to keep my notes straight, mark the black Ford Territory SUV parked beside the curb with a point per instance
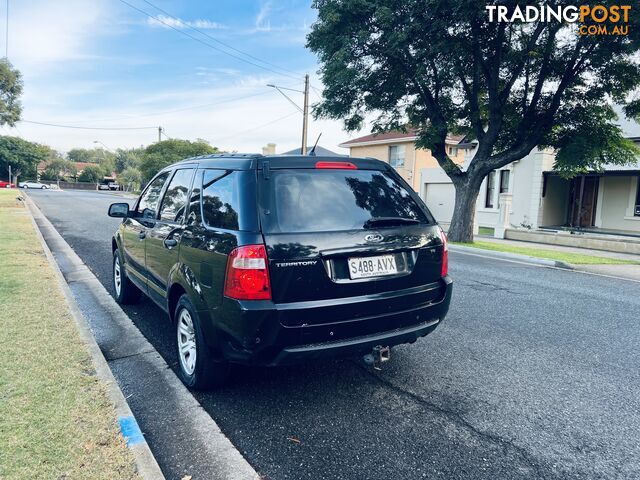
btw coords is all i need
(270, 260)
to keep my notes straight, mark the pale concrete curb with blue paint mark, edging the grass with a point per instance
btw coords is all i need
(146, 464)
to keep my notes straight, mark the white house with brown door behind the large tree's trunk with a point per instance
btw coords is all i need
(534, 196)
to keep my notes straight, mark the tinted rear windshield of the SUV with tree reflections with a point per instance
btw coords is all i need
(332, 200)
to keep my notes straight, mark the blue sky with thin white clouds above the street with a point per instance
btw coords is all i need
(103, 63)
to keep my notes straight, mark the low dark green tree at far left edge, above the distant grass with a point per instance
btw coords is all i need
(23, 156)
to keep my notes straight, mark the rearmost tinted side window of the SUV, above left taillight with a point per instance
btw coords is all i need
(228, 199)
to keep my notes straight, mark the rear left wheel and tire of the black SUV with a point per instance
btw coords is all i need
(204, 372)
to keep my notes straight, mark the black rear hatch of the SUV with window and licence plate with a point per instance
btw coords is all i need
(346, 236)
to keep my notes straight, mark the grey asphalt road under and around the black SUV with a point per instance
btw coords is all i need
(534, 374)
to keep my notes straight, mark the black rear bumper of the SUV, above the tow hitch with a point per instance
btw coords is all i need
(253, 333)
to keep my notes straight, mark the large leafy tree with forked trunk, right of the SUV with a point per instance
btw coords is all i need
(441, 66)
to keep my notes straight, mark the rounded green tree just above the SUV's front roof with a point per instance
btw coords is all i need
(159, 155)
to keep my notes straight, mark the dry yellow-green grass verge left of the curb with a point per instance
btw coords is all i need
(57, 421)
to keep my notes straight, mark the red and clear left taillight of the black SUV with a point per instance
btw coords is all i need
(247, 274)
